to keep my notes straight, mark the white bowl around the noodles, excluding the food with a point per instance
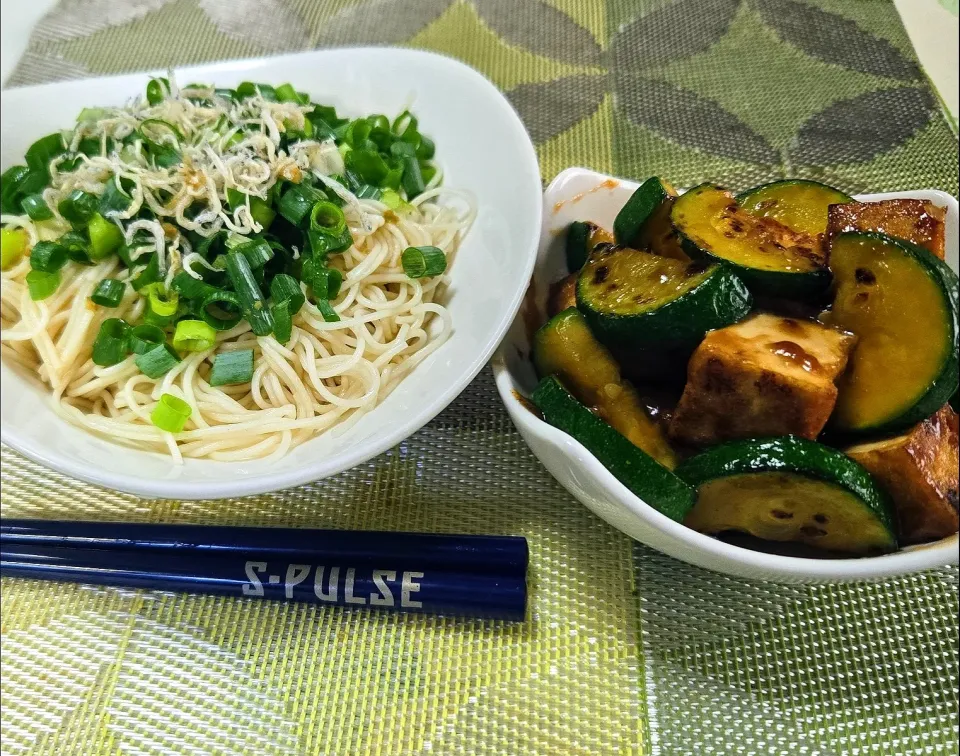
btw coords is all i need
(484, 149)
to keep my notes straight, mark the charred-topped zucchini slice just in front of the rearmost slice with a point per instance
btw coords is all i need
(771, 258)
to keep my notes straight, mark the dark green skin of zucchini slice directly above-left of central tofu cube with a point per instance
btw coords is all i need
(720, 300)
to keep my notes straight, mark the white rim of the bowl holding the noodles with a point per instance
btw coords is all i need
(227, 487)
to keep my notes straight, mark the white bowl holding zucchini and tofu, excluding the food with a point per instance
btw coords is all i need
(580, 194)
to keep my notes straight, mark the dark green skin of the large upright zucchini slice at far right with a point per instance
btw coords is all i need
(945, 385)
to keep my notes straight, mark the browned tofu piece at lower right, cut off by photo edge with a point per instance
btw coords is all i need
(921, 472)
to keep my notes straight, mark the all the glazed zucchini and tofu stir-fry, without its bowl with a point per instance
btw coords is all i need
(778, 364)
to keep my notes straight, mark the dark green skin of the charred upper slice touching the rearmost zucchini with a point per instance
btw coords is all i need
(804, 285)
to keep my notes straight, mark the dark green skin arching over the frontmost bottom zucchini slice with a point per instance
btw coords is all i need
(791, 454)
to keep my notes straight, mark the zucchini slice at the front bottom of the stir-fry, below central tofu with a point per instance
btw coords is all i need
(790, 489)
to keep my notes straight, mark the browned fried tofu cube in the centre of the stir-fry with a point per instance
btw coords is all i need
(765, 376)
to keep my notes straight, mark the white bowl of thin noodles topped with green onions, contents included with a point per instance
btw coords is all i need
(236, 278)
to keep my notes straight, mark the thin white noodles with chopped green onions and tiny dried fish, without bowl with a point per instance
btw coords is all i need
(278, 269)
